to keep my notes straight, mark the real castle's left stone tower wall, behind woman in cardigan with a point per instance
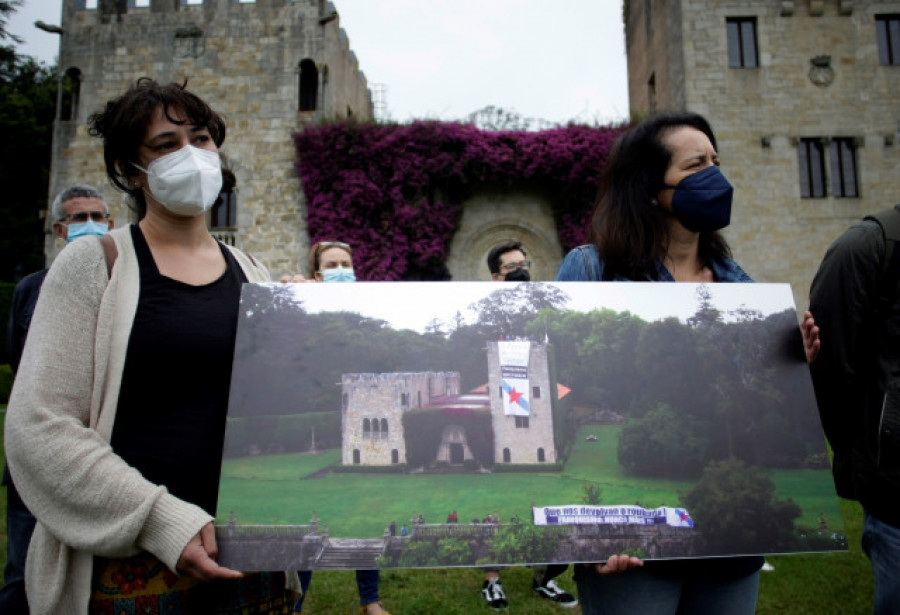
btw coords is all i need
(243, 59)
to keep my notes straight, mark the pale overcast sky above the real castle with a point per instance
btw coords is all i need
(443, 59)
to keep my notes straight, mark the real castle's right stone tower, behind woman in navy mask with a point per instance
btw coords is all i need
(804, 97)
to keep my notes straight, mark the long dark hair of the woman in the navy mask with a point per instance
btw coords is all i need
(630, 230)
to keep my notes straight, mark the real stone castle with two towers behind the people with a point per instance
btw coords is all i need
(802, 94)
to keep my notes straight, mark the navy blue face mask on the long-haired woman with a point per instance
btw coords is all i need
(702, 201)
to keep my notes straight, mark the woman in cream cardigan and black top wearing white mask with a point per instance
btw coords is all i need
(116, 424)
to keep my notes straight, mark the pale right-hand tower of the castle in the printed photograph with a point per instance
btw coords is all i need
(523, 443)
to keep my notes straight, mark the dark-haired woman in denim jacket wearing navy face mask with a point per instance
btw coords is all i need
(661, 203)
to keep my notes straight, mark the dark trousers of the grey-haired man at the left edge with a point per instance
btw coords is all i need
(19, 526)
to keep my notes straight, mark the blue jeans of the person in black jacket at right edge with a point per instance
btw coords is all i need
(881, 542)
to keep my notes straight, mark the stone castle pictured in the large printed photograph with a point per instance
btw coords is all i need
(373, 406)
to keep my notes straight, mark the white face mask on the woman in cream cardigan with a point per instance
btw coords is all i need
(186, 182)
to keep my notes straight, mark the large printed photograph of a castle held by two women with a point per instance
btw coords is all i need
(426, 424)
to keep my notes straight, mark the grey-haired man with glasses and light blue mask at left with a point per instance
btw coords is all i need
(78, 211)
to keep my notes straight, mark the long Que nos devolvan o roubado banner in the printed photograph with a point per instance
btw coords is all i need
(580, 514)
